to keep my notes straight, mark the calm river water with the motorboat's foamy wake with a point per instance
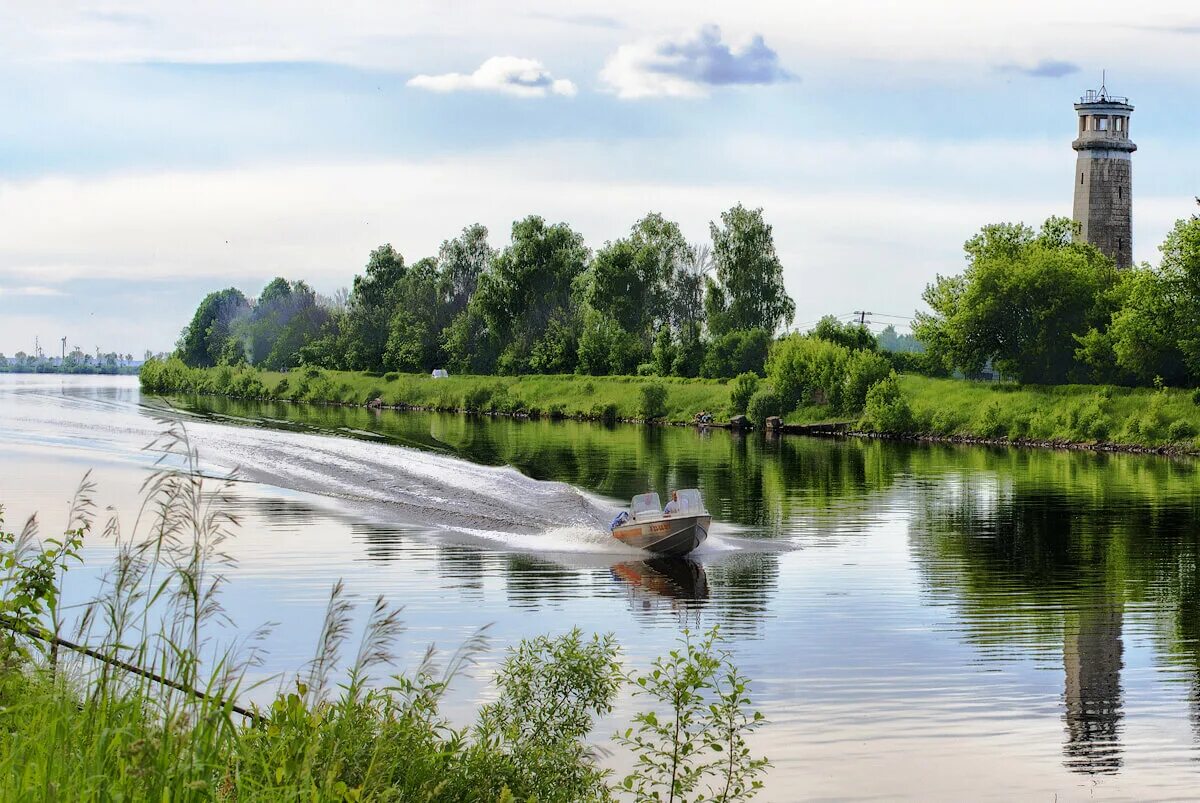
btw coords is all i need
(919, 621)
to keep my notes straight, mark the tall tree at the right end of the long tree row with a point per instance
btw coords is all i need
(749, 290)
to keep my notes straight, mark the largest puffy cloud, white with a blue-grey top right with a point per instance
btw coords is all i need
(689, 65)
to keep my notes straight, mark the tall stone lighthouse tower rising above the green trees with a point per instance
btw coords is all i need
(1105, 175)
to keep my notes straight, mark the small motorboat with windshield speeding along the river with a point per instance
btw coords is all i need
(673, 531)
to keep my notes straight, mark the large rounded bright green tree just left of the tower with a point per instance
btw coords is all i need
(1023, 303)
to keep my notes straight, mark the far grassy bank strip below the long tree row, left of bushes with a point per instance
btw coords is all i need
(566, 395)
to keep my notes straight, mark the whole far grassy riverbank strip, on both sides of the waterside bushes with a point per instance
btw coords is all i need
(952, 411)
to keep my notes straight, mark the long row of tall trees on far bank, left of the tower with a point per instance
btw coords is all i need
(649, 303)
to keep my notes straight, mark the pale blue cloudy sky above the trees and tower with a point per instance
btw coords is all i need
(152, 152)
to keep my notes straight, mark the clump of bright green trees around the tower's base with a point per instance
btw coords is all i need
(1045, 309)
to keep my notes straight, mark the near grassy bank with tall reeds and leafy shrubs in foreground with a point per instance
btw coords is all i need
(351, 726)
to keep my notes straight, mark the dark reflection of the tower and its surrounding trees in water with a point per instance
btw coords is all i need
(1047, 559)
